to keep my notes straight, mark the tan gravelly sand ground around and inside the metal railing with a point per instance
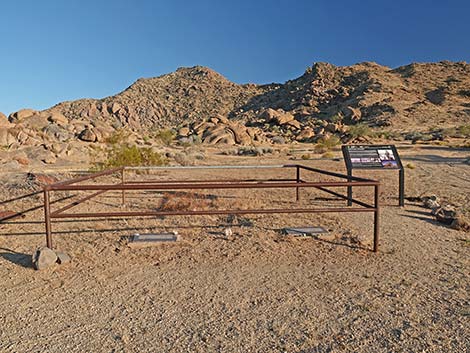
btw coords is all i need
(256, 290)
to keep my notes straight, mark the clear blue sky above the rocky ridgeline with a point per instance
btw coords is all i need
(56, 50)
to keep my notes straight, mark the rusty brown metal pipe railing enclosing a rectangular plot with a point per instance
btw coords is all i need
(296, 183)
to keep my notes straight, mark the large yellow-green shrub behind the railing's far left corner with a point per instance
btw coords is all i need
(125, 155)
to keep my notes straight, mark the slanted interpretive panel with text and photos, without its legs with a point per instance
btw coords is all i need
(371, 157)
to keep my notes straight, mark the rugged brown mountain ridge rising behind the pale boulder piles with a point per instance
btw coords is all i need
(418, 94)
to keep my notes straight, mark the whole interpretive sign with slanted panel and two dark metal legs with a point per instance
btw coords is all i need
(375, 157)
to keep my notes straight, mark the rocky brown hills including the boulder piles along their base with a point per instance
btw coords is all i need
(200, 104)
